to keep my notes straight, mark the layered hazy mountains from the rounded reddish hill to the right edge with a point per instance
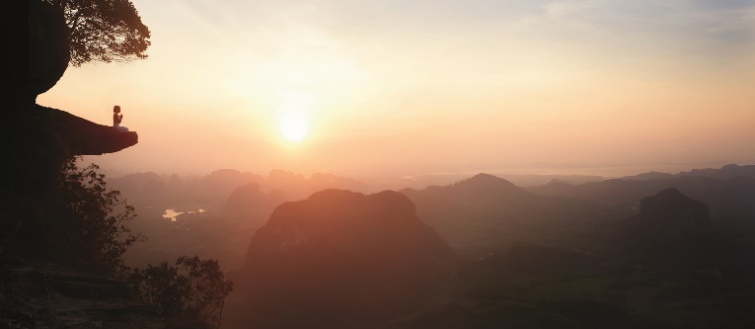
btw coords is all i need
(666, 252)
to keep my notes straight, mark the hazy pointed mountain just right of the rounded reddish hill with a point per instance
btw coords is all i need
(485, 213)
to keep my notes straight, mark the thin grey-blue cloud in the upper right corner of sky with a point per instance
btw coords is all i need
(713, 31)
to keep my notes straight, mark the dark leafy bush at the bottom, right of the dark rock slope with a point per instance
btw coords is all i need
(194, 289)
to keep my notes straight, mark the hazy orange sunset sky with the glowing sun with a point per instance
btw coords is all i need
(429, 86)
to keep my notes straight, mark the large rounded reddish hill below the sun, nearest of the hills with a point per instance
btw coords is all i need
(341, 259)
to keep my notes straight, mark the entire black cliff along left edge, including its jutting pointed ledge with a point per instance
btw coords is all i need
(36, 142)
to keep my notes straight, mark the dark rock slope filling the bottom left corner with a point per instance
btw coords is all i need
(40, 294)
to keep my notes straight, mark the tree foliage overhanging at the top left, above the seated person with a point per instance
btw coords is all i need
(104, 30)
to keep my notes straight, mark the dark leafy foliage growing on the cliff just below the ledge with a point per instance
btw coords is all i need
(86, 228)
